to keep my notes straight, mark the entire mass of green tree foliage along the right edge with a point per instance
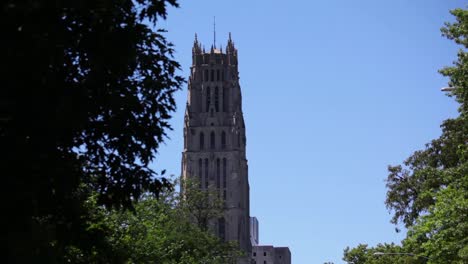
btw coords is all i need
(429, 192)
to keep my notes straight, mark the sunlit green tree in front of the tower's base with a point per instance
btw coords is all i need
(159, 231)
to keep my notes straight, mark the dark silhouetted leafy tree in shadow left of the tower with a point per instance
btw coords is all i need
(87, 92)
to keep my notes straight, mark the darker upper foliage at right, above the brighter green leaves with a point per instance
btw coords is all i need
(412, 188)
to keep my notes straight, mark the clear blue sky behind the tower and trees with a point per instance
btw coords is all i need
(333, 92)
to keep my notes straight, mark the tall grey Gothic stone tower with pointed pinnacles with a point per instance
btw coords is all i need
(214, 138)
